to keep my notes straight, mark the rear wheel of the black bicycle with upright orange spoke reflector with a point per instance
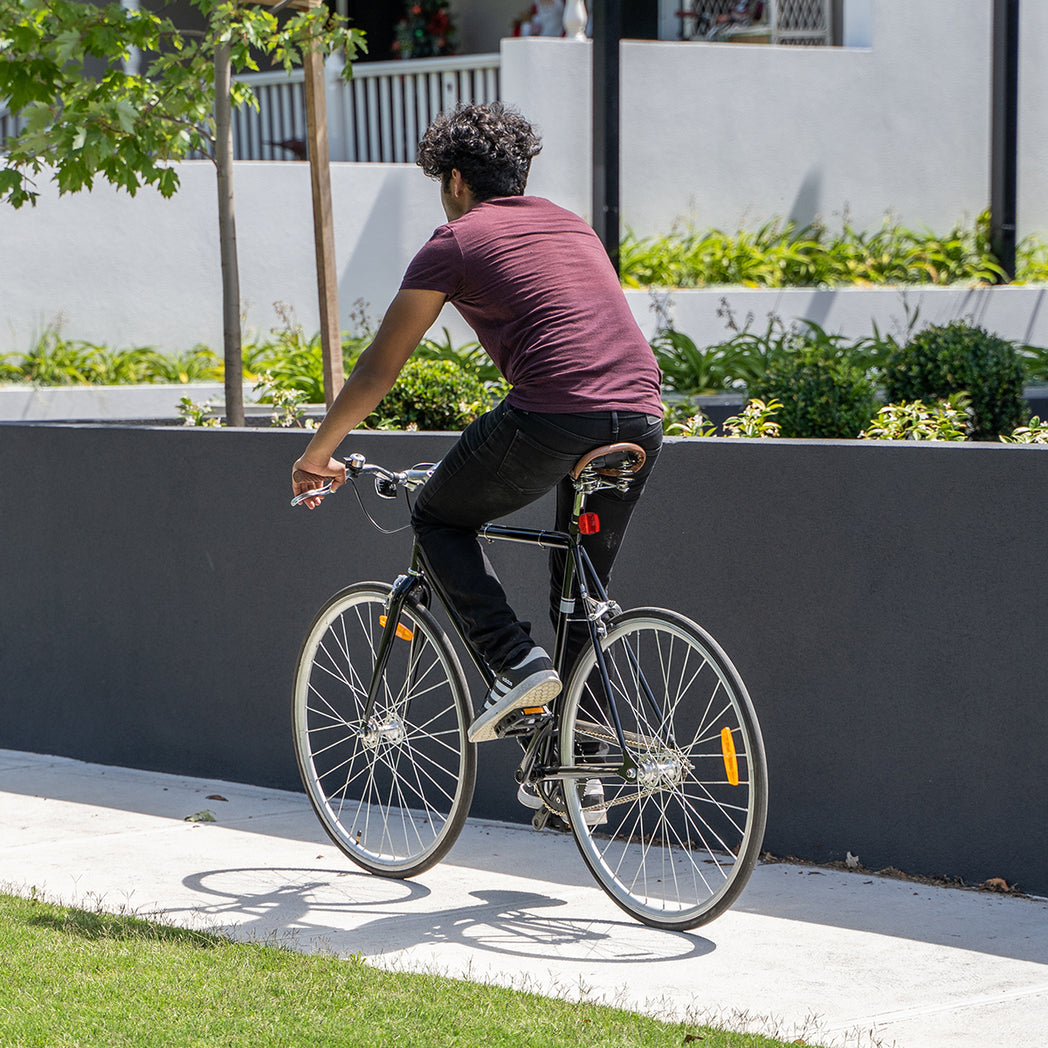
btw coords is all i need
(682, 821)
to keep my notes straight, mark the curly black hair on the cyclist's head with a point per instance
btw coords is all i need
(492, 145)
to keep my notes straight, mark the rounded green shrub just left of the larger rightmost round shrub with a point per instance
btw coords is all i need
(822, 396)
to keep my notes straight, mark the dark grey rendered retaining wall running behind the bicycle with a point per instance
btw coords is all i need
(885, 602)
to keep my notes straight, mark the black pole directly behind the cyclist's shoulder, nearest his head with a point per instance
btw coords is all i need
(607, 33)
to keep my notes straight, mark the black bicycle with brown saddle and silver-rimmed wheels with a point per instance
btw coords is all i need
(652, 753)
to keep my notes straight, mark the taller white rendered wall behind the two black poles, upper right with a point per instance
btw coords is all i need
(730, 135)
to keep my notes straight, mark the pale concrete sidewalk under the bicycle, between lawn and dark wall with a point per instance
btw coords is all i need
(837, 959)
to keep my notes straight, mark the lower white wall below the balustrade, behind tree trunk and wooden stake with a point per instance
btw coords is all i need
(145, 271)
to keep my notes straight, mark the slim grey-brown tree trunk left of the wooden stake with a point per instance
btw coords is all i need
(228, 242)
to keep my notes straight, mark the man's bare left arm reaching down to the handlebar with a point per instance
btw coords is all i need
(410, 316)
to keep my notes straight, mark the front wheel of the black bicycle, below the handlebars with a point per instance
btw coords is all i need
(394, 790)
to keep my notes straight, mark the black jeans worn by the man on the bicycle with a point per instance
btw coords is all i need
(504, 462)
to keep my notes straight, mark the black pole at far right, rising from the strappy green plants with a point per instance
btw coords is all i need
(1005, 145)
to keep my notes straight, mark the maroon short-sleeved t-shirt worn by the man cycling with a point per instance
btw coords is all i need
(536, 285)
